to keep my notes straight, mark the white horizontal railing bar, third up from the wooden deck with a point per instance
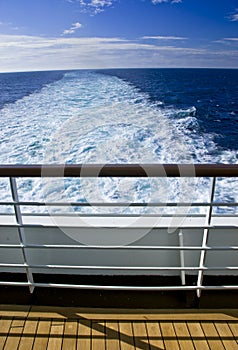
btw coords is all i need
(108, 247)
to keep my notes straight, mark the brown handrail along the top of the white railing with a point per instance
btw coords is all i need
(120, 170)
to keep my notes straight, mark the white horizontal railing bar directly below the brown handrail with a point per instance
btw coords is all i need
(112, 204)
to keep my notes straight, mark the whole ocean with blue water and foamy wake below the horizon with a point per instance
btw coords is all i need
(120, 116)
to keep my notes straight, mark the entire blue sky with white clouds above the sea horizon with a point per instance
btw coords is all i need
(86, 34)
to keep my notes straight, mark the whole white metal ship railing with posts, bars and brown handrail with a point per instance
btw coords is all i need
(122, 171)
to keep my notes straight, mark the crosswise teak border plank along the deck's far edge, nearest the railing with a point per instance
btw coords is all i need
(123, 314)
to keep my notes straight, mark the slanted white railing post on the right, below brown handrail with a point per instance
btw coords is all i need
(205, 236)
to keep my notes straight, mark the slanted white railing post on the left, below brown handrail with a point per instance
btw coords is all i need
(21, 231)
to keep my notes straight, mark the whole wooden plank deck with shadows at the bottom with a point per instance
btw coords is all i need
(58, 328)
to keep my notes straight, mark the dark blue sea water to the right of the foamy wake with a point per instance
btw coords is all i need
(213, 92)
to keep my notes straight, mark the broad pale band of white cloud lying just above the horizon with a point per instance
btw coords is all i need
(22, 53)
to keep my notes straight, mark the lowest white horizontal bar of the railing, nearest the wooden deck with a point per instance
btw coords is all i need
(110, 287)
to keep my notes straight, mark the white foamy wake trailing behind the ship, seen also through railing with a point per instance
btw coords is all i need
(92, 118)
